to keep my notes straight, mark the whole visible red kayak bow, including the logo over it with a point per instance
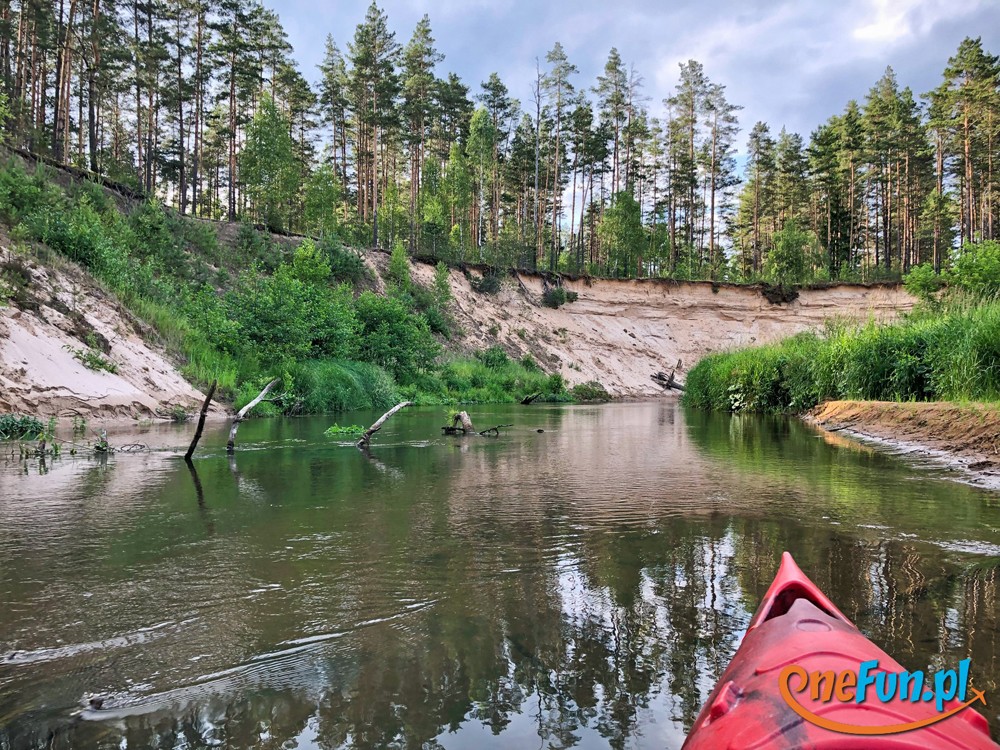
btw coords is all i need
(805, 677)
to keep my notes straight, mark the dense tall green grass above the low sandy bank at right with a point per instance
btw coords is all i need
(948, 353)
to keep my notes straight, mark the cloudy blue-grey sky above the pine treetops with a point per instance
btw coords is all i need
(790, 63)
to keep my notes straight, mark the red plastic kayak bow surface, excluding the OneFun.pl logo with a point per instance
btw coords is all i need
(796, 624)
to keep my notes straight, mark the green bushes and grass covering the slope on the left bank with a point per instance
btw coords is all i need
(243, 313)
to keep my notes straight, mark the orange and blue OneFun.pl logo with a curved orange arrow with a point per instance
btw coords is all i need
(869, 683)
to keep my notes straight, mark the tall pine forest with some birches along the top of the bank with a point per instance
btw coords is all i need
(201, 104)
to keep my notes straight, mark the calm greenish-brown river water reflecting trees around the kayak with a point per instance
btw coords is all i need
(581, 586)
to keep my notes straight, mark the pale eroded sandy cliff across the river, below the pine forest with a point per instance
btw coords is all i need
(621, 332)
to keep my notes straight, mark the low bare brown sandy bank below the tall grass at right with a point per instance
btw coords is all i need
(963, 436)
